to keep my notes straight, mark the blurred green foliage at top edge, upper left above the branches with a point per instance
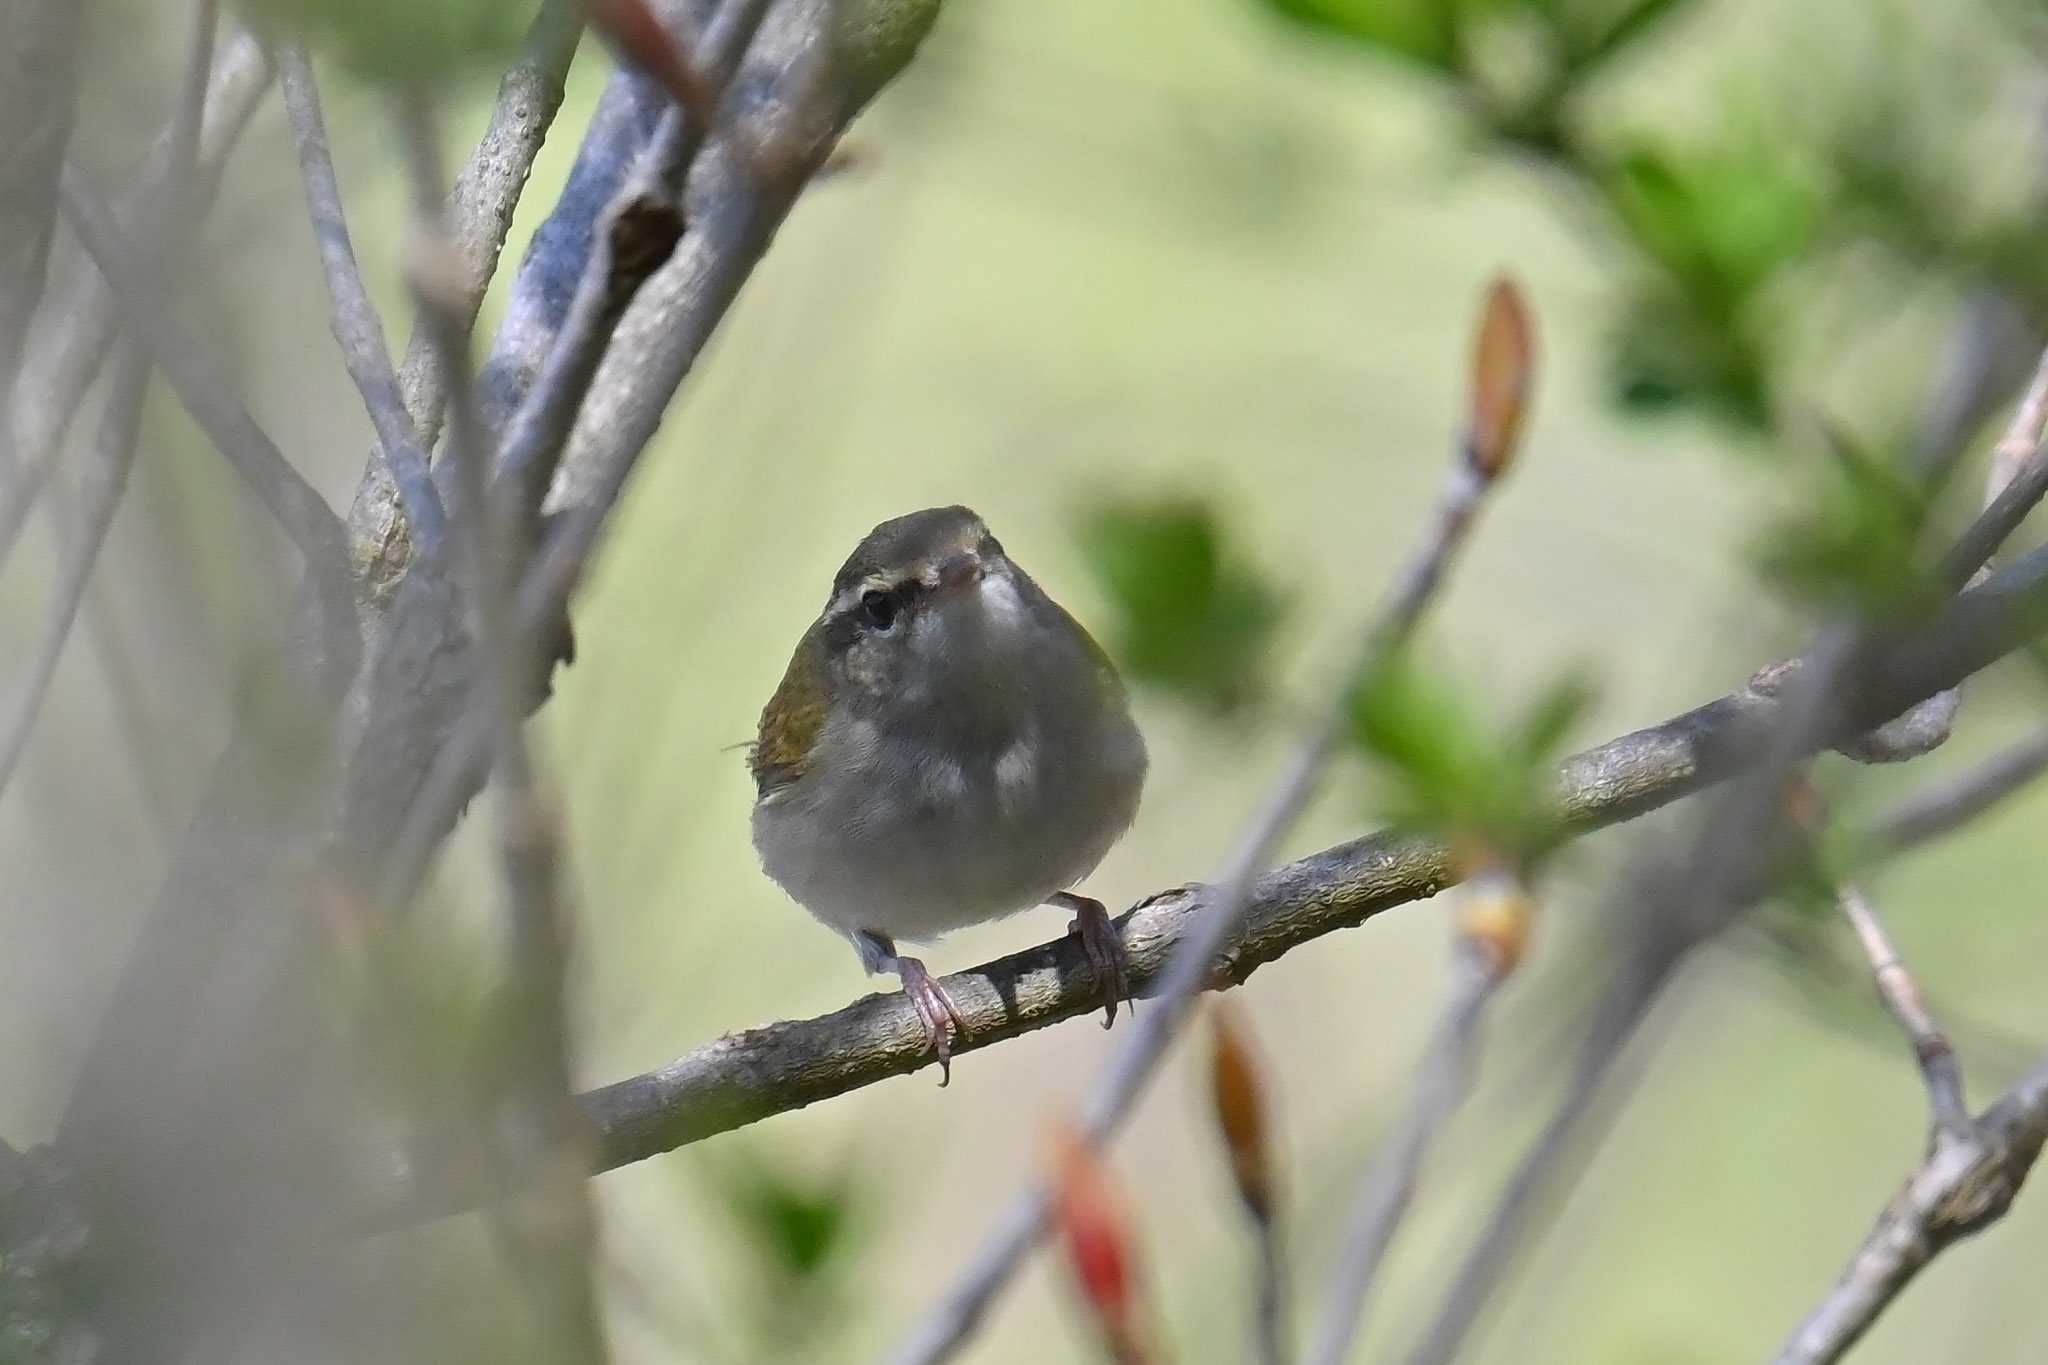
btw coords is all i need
(398, 40)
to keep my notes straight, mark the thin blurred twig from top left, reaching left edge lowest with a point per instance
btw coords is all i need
(122, 423)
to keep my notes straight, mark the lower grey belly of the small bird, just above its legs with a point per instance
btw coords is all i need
(914, 844)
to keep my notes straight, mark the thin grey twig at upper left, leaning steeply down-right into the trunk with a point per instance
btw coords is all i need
(353, 318)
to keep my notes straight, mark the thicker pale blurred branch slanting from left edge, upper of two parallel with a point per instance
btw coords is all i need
(58, 371)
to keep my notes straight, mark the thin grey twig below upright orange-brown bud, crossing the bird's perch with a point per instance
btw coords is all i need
(953, 1319)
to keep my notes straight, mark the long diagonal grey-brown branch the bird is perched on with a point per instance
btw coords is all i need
(746, 1077)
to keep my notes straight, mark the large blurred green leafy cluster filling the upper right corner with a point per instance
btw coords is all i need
(1730, 234)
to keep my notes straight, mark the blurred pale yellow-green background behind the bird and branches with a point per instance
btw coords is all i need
(1103, 259)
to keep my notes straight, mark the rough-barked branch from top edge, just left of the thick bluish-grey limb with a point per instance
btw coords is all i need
(480, 218)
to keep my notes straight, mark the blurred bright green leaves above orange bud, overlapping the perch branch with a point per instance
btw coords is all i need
(1451, 768)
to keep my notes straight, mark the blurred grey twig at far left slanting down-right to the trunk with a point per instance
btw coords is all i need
(220, 414)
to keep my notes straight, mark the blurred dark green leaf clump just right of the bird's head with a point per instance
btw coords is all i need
(1191, 613)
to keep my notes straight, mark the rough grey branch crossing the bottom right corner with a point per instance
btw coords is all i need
(1965, 1184)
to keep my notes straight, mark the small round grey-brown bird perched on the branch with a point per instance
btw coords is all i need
(949, 746)
